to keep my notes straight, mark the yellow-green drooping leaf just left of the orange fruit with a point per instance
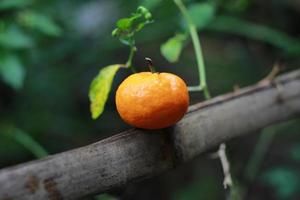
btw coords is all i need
(100, 88)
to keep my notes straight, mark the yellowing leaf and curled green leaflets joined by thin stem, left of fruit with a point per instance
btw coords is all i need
(125, 30)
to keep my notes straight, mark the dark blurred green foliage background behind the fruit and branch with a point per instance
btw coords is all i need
(51, 50)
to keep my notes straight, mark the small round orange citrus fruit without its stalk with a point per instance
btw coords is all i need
(152, 100)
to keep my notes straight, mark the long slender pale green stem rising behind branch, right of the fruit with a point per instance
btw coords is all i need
(197, 47)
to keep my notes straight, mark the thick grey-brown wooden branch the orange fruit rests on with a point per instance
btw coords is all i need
(138, 154)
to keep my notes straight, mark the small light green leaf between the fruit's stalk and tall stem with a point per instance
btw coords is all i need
(172, 48)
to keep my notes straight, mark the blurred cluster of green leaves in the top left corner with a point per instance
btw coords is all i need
(18, 22)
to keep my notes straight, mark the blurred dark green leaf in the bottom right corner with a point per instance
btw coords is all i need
(285, 181)
